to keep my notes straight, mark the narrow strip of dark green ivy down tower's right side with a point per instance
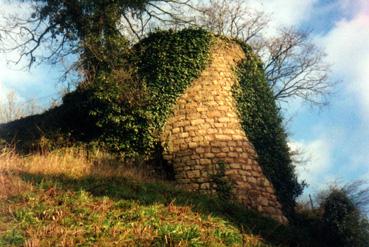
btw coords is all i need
(262, 123)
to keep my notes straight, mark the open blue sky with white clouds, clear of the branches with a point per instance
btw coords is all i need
(334, 139)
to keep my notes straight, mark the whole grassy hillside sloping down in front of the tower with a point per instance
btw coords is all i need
(74, 198)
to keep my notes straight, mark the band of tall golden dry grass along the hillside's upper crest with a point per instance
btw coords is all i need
(71, 162)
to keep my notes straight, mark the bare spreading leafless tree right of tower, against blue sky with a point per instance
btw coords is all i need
(295, 67)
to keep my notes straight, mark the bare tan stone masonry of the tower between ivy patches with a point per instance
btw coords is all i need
(204, 130)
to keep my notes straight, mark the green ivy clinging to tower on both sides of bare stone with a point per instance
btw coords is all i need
(169, 61)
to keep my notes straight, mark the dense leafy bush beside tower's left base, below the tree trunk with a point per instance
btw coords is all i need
(105, 113)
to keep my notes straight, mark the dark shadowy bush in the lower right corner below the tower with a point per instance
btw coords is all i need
(338, 220)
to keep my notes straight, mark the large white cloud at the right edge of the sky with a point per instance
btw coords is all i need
(348, 50)
